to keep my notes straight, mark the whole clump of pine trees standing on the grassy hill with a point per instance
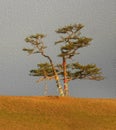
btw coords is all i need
(72, 41)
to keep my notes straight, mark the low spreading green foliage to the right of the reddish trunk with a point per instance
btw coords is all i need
(89, 71)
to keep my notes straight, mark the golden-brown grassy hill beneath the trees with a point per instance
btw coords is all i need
(56, 113)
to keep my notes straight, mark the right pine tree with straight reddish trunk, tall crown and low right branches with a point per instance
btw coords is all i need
(72, 40)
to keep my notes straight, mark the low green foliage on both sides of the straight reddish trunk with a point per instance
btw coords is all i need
(78, 71)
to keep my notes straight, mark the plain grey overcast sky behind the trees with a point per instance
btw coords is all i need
(20, 18)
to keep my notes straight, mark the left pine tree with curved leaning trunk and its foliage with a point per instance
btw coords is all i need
(37, 46)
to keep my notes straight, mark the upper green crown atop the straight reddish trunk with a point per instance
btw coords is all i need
(72, 40)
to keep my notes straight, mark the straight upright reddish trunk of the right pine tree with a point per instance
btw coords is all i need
(66, 91)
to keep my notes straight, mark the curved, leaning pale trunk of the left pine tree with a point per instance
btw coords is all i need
(56, 75)
